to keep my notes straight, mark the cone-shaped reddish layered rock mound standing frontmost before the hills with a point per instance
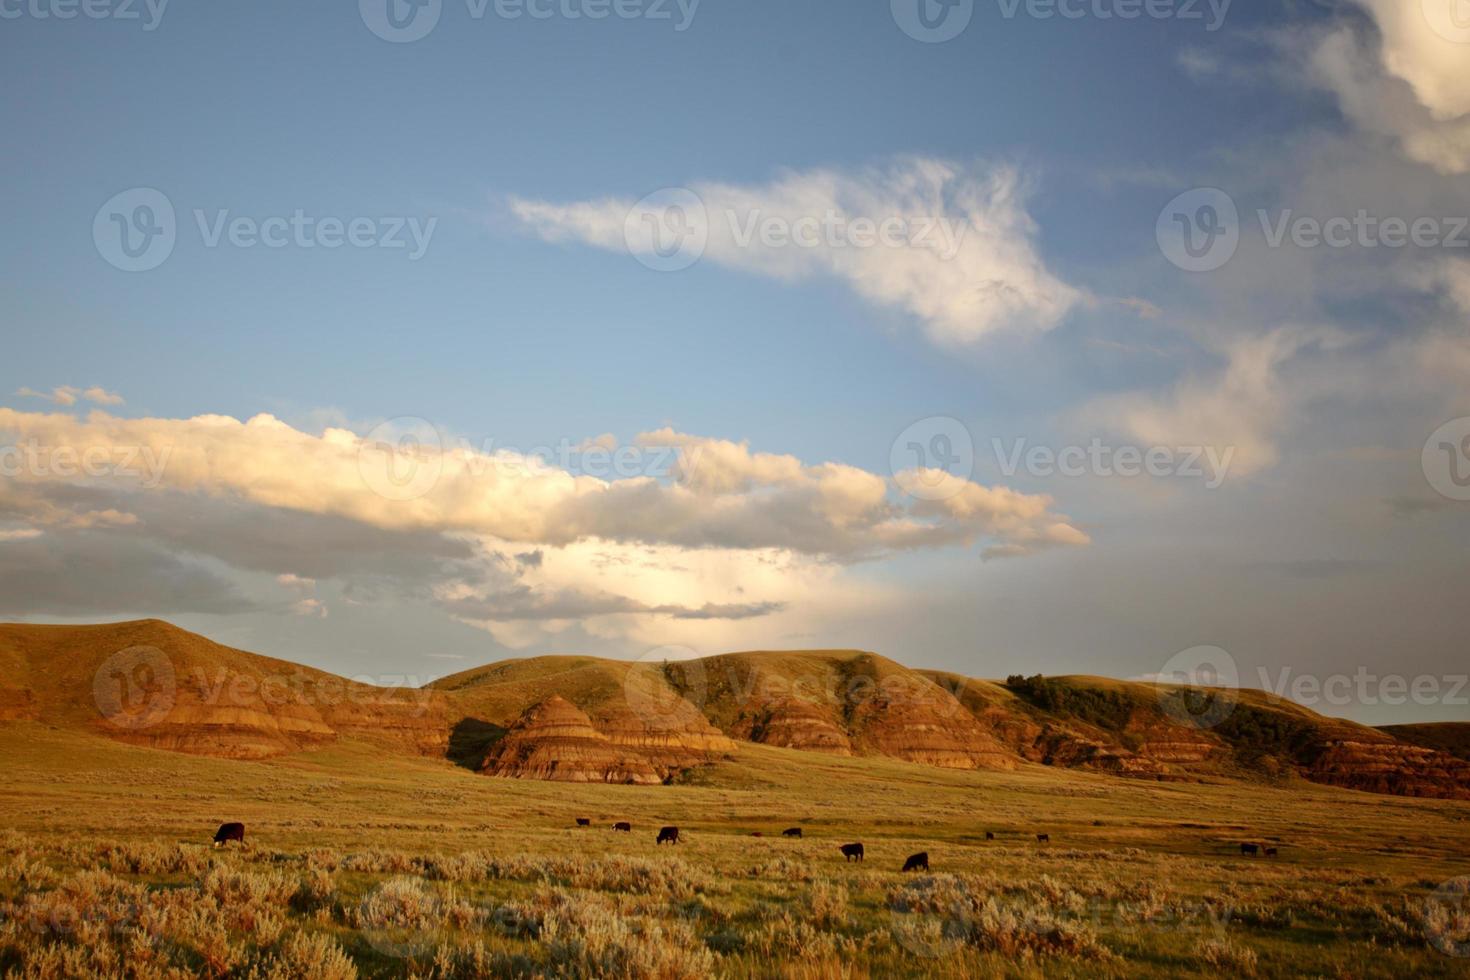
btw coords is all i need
(556, 741)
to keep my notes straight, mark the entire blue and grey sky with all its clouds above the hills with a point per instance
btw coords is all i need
(994, 336)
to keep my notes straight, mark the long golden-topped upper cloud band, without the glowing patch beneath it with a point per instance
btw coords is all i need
(724, 494)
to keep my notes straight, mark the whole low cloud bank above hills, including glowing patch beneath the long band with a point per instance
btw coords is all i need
(730, 536)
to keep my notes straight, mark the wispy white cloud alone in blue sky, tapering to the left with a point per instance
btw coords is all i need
(961, 256)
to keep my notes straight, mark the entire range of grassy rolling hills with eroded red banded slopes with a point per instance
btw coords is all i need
(586, 719)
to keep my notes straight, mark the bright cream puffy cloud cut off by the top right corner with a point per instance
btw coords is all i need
(1406, 82)
